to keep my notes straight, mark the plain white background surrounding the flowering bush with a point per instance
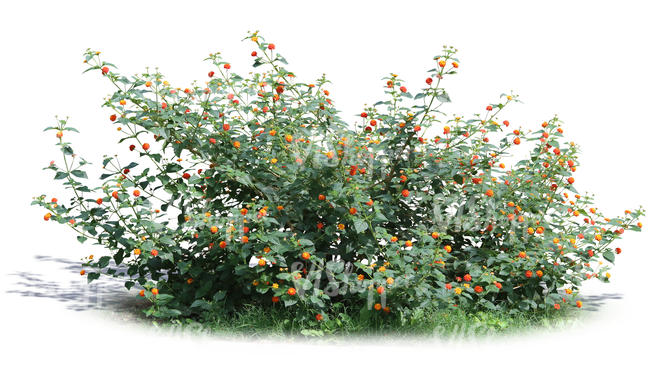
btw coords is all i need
(585, 61)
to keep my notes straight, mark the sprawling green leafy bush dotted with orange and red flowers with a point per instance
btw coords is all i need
(251, 190)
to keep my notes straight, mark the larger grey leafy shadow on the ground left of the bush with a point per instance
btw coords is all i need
(73, 291)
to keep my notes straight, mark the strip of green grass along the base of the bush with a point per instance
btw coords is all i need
(256, 322)
